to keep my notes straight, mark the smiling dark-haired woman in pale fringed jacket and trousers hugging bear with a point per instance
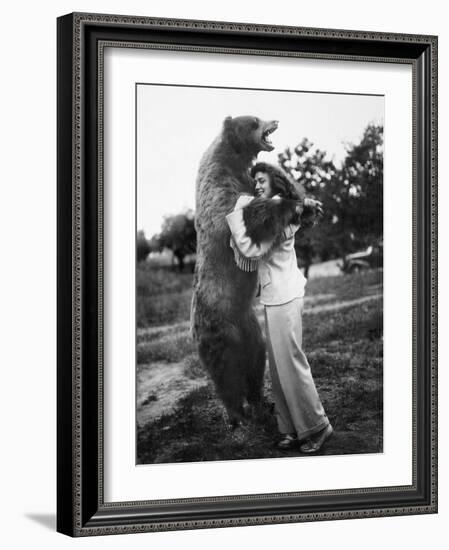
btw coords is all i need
(300, 414)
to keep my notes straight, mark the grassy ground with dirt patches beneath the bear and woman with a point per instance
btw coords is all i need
(179, 418)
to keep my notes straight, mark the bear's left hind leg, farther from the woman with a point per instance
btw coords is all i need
(222, 352)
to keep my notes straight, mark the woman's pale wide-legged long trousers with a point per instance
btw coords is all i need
(297, 405)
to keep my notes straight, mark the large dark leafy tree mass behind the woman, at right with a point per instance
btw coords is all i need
(352, 195)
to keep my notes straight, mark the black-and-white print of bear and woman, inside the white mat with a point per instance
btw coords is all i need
(259, 273)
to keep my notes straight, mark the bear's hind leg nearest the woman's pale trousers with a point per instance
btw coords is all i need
(254, 365)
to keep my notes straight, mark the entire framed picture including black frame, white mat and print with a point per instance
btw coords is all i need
(247, 274)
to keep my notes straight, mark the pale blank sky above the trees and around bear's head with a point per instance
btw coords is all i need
(176, 124)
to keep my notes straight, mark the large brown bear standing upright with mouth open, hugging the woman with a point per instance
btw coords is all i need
(230, 343)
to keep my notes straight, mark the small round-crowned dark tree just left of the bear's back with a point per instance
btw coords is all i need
(179, 235)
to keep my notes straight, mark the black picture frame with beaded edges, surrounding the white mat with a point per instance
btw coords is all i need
(81, 510)
